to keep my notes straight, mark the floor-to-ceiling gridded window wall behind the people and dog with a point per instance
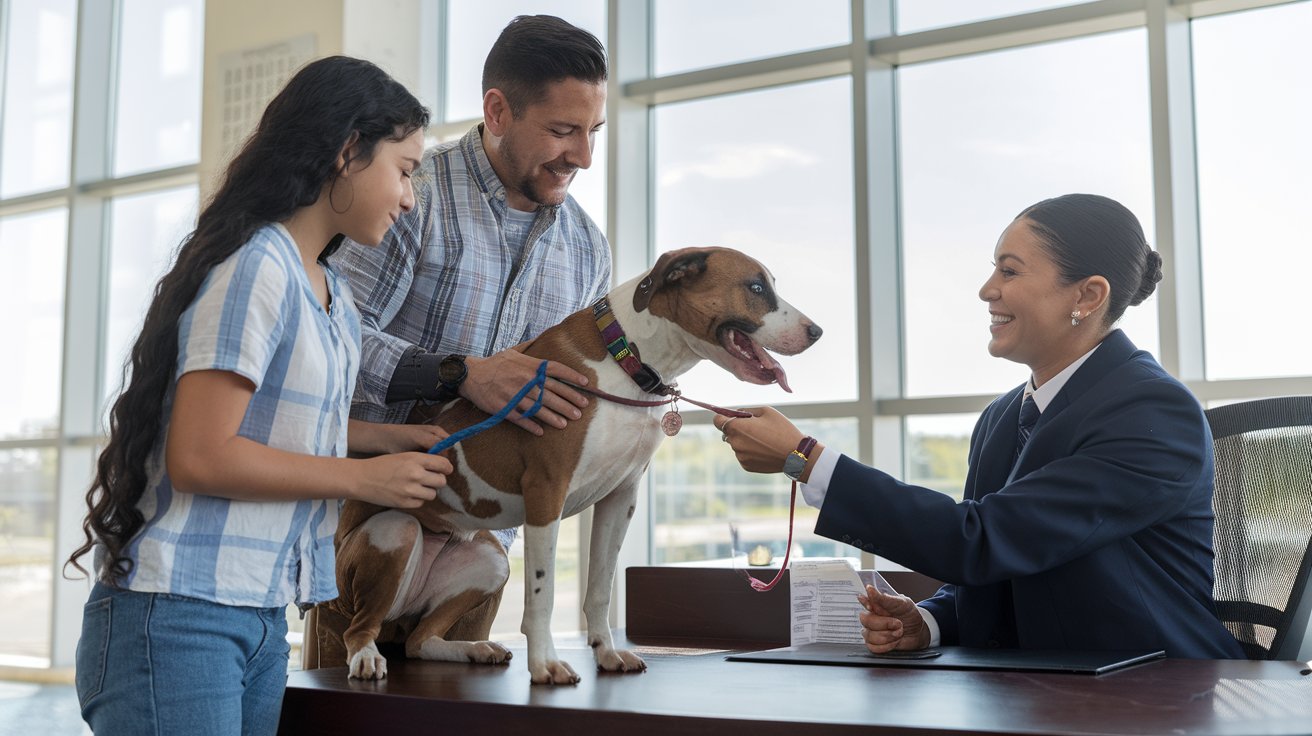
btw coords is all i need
(871, 166)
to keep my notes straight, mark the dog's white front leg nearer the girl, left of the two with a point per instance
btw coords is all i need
(540, 587)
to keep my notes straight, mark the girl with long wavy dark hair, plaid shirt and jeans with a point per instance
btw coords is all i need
(215, 504)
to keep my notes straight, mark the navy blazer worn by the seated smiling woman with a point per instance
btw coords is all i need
(1099, 539)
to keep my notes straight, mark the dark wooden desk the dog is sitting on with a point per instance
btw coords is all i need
(705, 695)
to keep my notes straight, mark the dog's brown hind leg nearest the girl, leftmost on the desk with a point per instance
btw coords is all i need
(376, 565)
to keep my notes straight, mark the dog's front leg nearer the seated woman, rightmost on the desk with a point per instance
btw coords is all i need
(609, 525)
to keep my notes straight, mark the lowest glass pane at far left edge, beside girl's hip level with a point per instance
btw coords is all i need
(27, 554)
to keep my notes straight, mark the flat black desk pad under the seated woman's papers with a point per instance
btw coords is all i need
(956, 658)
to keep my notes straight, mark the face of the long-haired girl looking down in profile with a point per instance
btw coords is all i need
(381, 190)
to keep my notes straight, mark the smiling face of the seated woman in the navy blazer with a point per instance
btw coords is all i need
(1029, 306)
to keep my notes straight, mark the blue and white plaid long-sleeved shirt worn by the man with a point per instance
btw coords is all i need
(447, 280)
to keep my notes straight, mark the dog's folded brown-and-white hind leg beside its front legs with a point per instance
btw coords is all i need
(462, 591)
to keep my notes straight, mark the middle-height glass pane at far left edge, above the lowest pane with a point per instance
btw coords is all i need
(32, 284)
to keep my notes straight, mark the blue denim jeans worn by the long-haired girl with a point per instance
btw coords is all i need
(161, 664)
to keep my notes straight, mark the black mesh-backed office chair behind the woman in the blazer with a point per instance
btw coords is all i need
(1264, 524)
